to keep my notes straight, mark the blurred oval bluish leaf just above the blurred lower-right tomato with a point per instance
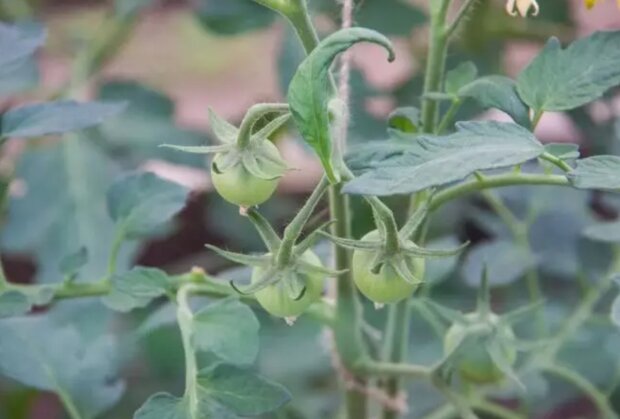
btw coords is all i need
(505, 261)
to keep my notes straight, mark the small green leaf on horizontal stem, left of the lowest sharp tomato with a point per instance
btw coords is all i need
(136, 288)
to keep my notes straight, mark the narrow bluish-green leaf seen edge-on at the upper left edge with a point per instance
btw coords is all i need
(56, 117)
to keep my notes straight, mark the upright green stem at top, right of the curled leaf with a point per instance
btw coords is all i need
(435, 65)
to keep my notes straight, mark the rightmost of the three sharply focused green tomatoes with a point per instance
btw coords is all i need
(386, 286)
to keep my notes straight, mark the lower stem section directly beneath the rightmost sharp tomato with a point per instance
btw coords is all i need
(398, 337)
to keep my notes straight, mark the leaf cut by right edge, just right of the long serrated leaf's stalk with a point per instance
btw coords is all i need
(598, 172)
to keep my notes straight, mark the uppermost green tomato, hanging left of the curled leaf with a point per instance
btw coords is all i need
(240, 187)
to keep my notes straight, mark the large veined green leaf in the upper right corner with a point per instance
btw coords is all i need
(562, 79)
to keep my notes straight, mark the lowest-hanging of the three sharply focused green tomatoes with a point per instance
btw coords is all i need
(275, 298)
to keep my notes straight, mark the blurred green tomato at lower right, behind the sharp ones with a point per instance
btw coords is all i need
(472, 361)
